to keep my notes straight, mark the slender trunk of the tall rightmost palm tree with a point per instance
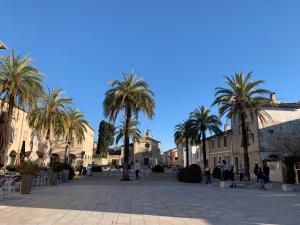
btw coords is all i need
(245, 147)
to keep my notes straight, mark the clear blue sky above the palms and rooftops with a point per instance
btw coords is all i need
(182, 48)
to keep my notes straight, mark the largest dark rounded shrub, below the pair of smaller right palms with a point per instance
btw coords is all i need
(191, 174)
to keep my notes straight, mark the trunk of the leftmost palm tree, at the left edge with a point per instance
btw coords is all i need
(11, 104)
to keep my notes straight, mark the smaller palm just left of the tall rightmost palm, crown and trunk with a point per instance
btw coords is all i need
(203, 121)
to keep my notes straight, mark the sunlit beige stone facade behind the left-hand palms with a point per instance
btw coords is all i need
(22, 133)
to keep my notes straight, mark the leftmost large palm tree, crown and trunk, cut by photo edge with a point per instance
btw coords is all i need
(20, 86)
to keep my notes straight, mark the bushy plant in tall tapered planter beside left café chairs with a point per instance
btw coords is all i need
(27, 170)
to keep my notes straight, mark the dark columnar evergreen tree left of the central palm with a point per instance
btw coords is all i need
(105, 138)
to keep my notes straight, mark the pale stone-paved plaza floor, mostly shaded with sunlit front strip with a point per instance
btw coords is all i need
(157, 201)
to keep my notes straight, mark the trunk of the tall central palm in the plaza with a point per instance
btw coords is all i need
(126, 145)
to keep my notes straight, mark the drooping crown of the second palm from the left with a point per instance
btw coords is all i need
(51, 114)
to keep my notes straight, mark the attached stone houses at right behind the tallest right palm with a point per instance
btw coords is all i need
(272, 140)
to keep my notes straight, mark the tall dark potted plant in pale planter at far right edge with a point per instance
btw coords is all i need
(290, 174)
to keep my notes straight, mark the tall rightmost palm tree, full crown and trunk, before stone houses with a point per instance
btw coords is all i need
(240, 99)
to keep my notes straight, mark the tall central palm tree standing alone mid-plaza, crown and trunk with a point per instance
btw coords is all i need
(131, 96)
